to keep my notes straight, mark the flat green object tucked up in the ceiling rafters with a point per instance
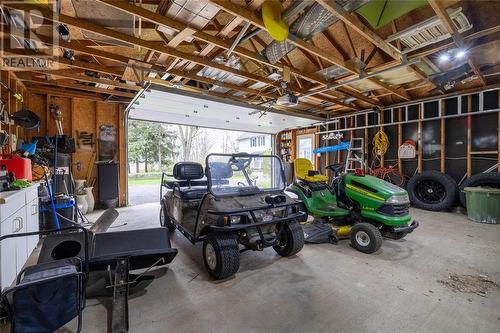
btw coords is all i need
(380, 12)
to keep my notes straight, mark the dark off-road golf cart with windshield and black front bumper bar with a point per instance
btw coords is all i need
(240, 206)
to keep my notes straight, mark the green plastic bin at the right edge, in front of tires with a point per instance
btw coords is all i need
(483, 204)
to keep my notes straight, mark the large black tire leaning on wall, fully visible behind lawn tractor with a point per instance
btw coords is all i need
(432, 190)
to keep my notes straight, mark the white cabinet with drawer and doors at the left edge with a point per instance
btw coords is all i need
(18, 214)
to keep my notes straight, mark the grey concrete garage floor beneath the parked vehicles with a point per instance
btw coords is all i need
(326, 288)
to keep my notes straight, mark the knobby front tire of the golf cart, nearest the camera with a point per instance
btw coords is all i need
(225, 253)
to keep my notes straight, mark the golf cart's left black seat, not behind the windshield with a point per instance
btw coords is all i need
(187, 172)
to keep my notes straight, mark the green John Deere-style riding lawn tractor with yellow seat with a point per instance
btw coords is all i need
(360, 207)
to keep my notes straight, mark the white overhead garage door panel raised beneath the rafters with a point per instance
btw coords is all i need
(174, 106)
